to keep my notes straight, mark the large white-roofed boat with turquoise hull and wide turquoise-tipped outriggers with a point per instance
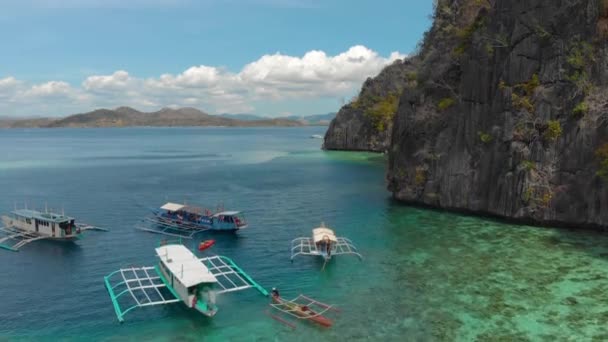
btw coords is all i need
(180, 276)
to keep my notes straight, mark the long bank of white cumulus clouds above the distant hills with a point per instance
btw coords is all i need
(273, 77)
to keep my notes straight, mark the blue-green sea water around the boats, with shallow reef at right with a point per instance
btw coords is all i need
(425, 276)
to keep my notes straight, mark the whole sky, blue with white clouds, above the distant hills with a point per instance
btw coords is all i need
(65, 56)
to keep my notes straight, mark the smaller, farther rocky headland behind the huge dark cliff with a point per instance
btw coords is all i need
(365, 124)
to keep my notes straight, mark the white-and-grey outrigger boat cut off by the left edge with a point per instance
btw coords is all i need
(23, 226)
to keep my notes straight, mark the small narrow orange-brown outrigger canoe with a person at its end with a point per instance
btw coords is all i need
(301, 307)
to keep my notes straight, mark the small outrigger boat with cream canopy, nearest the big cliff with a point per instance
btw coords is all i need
(323, 243)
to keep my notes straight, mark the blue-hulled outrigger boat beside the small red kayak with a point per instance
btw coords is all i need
(185, 221)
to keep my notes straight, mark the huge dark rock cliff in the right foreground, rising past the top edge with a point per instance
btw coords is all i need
(509, 115)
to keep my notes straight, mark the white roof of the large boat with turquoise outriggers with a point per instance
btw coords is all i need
(184, 265)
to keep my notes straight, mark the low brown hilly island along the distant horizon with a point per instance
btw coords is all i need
(166, 117)
